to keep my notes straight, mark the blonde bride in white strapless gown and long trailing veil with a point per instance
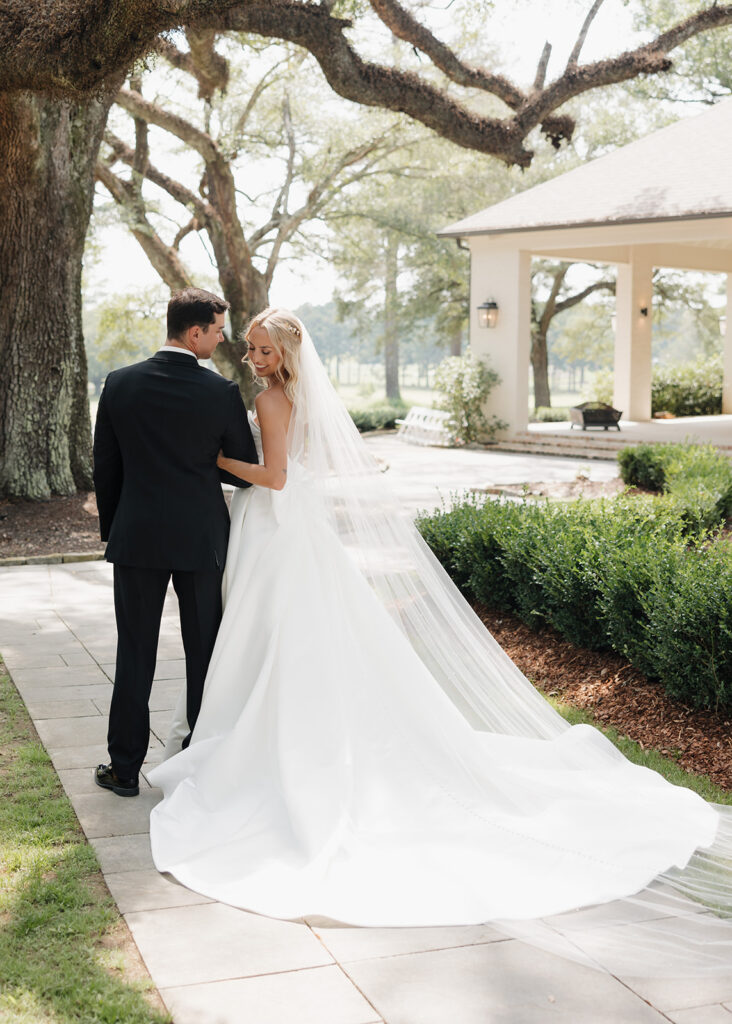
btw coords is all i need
(367, 752)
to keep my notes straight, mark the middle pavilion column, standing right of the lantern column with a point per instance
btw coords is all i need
(633, 338)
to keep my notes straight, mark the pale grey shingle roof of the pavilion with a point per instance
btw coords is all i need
(681, 172)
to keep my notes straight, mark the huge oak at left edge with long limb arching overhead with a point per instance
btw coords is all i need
(63, 65)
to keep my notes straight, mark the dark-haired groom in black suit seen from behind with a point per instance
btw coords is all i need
(160, 426)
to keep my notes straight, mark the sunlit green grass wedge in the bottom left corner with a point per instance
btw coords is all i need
(67, 956)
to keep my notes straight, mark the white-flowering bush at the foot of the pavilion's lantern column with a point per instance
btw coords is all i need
(466, 385)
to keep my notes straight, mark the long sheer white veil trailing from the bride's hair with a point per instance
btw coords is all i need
(681, 924)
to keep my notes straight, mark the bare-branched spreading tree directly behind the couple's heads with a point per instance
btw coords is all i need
(248, 235)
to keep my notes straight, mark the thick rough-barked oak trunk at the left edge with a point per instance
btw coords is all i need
(48, 155)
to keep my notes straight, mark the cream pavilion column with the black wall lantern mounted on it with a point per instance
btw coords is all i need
(505, 276)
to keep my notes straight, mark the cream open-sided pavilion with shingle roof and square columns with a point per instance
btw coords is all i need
(663, 201)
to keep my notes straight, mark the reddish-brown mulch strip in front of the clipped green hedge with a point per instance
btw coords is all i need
(617, 695)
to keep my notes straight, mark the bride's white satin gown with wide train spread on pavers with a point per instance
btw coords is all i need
(330, 775)
